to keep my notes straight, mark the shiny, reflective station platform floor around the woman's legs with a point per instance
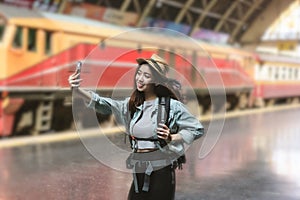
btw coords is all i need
(255, 158)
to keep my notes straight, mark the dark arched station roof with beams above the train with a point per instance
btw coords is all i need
(245, 21)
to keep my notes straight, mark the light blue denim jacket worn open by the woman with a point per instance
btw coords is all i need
(180, 119)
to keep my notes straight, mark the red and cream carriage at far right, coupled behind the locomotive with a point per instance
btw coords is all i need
(277, 79)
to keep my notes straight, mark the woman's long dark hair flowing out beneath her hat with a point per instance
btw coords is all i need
(161, 88)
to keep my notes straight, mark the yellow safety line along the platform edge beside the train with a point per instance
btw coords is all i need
(73, 135)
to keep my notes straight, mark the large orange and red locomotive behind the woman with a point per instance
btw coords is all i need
(39, 50)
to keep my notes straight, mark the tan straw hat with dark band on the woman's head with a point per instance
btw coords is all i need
(156, 62)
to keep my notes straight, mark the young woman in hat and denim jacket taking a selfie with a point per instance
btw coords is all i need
(156, 146)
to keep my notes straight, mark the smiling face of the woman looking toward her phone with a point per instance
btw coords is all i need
(144, 78)
